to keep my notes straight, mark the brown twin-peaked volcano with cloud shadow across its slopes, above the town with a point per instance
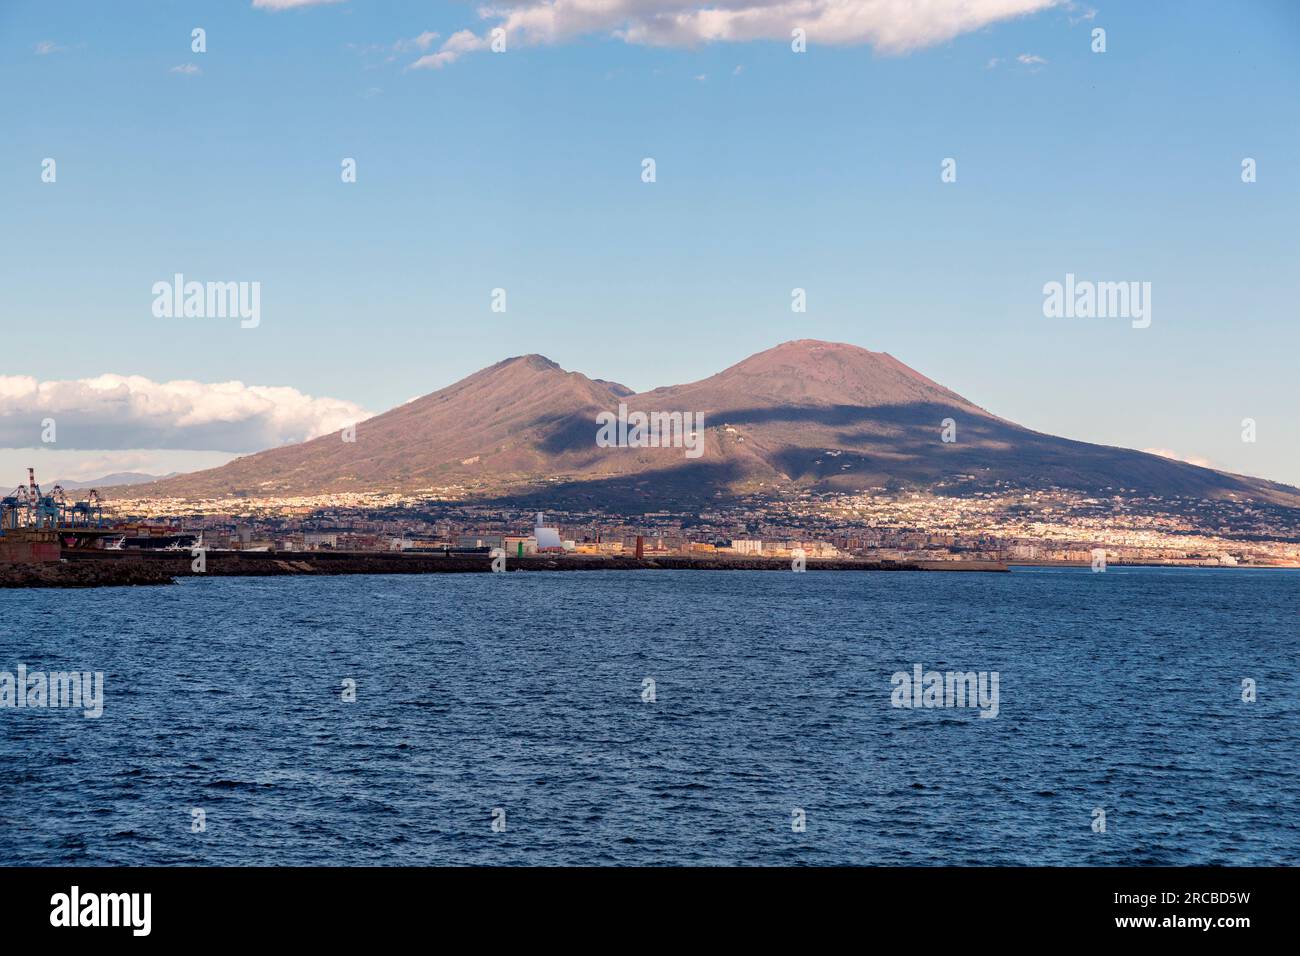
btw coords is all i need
(805, 416)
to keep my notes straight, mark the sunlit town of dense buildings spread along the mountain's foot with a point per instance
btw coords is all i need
(1007, 525)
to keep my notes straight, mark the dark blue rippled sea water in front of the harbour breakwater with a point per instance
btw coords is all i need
(525, 694)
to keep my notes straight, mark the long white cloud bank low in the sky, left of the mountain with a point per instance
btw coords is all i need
(115, 412)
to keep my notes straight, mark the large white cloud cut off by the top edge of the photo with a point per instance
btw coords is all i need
(890, 27)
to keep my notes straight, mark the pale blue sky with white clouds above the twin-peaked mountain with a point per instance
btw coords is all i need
(523, 171)
